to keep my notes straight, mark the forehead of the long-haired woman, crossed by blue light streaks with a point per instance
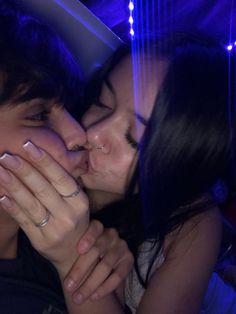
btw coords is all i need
(139, 81)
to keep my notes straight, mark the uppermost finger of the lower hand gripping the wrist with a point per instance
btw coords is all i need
(86, 242)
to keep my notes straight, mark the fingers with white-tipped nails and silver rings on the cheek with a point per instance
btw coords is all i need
(45, 185)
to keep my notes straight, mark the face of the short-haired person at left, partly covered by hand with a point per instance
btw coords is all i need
(47, 125)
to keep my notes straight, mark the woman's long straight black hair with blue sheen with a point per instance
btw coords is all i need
(187, 145)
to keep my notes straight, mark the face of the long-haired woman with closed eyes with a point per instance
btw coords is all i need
(116, 124)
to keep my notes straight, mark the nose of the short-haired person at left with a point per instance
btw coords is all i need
(71, 132)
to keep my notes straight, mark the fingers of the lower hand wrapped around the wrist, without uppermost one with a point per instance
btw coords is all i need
(113, 262)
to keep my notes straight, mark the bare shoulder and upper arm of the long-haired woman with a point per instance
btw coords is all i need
(190, 253)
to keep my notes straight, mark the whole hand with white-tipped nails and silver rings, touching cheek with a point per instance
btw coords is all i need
(53, 222)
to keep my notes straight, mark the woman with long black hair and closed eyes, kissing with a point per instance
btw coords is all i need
(180, 134)
